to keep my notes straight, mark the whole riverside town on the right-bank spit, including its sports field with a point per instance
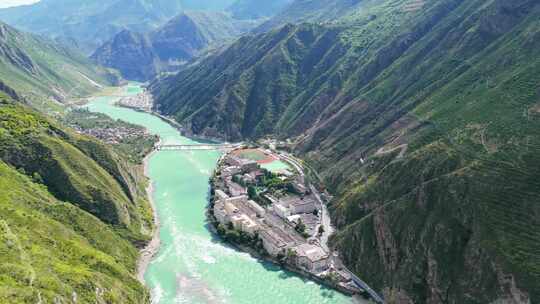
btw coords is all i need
(262, 202)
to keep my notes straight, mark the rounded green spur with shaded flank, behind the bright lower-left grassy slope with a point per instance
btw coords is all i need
(77, 169)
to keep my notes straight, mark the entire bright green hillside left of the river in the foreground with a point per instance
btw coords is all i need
(64, 238)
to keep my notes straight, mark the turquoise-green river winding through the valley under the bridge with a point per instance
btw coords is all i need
(192, 266)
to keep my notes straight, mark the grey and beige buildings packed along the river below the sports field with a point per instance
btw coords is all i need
(271, 219)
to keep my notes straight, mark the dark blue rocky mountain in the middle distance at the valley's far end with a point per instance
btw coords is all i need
(143, 56)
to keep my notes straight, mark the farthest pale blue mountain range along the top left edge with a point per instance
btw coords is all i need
(93, 22)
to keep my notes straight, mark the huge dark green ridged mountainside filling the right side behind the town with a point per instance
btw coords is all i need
(422, 118)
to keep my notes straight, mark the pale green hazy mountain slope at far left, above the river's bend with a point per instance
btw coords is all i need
(38, 67)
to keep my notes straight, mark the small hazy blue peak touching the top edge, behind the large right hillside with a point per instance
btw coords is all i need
(255, 9)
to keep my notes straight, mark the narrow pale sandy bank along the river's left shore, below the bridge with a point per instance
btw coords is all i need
(152, 248)
